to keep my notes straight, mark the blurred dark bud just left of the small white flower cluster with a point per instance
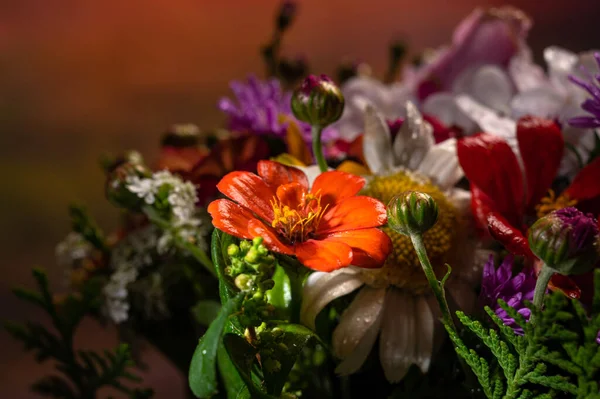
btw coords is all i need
(116, 184)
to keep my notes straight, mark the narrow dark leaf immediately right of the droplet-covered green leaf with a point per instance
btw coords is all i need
(243, 355)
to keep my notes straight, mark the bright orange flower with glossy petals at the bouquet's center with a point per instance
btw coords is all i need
(327, 227)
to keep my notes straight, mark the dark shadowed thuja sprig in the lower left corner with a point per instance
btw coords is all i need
(83, 372)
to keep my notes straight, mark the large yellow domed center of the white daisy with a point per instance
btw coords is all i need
(402, 268)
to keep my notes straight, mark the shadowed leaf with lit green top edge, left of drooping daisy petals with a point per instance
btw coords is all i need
(291, 339)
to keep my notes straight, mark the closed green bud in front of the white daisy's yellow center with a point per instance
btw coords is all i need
(412, 213)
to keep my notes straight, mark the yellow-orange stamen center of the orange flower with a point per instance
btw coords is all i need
(298, 221)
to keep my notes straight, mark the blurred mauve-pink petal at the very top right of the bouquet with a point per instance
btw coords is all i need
(489, 37)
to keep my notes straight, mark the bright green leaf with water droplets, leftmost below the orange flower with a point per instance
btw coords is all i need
(203, 374)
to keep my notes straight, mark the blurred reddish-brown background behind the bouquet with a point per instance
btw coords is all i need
(82, 77)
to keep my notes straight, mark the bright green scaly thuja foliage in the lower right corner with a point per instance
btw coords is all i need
(557, 356)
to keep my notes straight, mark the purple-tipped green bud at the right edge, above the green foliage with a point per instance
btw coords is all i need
(566, 240)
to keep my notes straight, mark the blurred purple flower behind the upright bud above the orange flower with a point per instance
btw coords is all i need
(263, 108)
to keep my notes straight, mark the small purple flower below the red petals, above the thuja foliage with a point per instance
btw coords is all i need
(514, 290)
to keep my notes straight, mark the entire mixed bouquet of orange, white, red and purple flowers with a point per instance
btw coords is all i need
(432, 234)
